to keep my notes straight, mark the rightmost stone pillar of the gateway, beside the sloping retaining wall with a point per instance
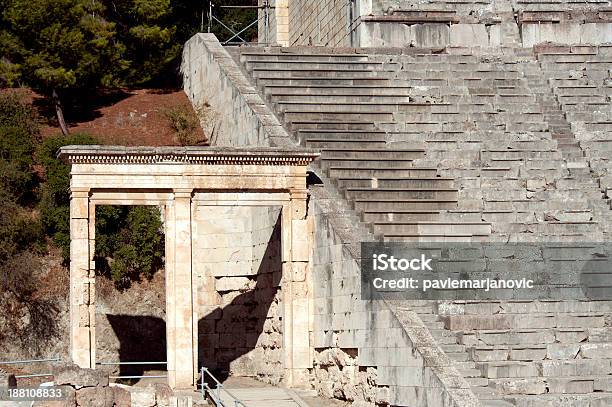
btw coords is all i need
(296, 290)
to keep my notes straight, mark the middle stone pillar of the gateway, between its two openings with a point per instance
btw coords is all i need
(179, 294)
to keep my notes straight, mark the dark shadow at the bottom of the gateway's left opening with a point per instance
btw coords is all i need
(141, 339)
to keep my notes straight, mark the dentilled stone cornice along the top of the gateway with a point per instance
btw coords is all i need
(186, 155)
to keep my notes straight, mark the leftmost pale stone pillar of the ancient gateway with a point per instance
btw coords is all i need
(82, 279)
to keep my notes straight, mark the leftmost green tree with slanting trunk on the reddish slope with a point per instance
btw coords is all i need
(59, 45)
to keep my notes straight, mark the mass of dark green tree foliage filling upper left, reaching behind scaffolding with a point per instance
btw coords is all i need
(79, 44)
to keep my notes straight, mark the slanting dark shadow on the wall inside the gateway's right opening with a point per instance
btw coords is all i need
(241, 321)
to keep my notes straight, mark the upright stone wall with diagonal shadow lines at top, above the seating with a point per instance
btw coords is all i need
(319, 22)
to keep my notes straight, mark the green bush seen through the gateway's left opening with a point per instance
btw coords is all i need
(129, 242)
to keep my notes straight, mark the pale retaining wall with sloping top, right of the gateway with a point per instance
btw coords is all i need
(365, 353)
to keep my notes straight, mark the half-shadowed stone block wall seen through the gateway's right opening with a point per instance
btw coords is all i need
(238, 270)
